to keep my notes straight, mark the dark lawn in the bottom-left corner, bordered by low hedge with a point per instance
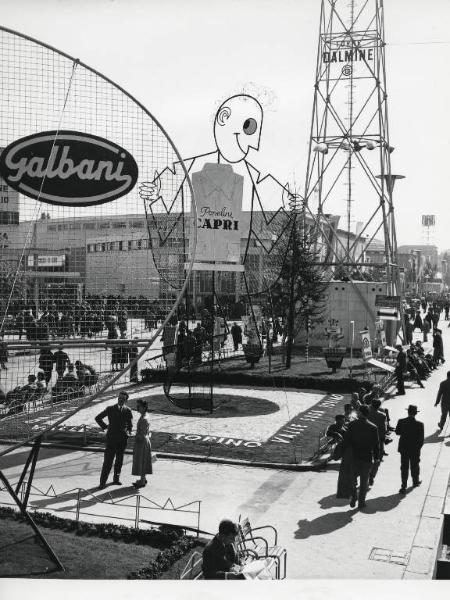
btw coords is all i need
(83, 557)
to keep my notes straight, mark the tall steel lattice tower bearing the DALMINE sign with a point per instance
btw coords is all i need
(349, 160)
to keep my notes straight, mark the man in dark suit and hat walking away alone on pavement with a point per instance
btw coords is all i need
(411, 434)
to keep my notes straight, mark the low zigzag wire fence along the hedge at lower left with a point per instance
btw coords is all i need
(135, 510)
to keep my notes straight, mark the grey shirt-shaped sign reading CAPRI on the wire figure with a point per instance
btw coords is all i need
(218, 192)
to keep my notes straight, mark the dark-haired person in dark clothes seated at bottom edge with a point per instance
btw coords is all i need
(219, 556)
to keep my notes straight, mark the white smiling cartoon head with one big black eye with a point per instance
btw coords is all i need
(237, 127)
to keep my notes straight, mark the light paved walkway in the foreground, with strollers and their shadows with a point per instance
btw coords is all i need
(395, 537)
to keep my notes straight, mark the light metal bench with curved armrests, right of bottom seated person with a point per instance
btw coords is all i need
(258, 545)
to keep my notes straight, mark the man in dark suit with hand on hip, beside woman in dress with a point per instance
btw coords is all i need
(120, 424)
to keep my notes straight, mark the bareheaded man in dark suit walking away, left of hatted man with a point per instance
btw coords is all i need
(362, 437)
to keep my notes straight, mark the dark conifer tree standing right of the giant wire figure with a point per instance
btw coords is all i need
(300, 292)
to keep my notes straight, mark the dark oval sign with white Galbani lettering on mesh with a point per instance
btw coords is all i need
(68, 168)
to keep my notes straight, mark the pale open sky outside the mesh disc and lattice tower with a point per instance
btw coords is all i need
(181, 59)
